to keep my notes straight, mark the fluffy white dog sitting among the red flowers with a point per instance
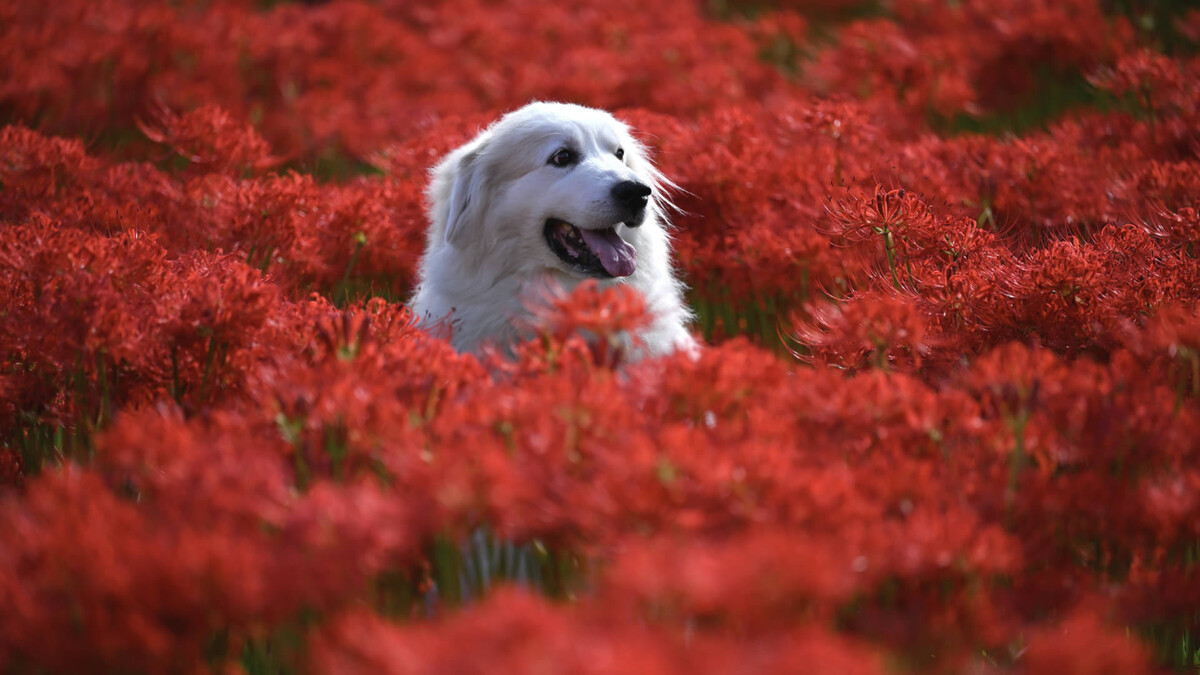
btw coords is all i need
(550, 195)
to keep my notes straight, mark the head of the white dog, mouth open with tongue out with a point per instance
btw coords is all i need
(551, 187)
